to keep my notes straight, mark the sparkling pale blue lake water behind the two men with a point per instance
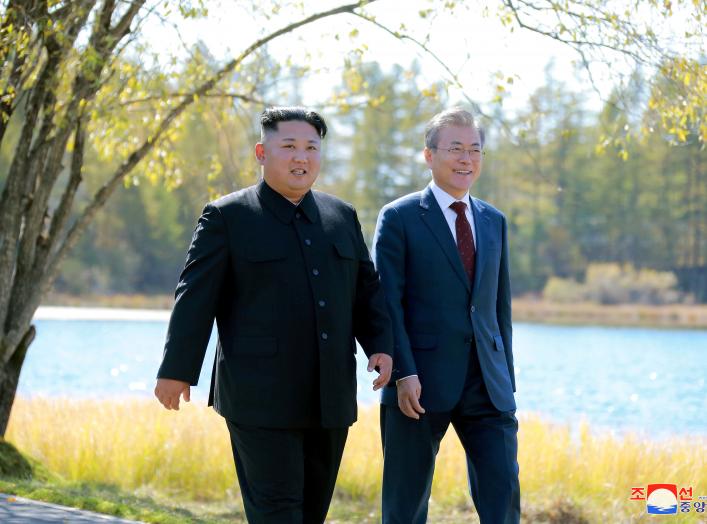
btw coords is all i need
(623, 379)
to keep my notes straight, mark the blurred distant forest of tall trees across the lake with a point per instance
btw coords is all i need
(577, 187)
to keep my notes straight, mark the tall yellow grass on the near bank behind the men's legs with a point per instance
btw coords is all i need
(182, 462)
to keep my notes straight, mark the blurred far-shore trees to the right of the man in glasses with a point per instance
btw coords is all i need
(638, 201)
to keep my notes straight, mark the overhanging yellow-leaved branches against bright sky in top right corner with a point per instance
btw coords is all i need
(656, 35)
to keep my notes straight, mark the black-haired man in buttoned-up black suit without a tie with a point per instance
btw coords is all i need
(286, 274)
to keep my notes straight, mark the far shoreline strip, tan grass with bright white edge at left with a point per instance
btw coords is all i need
(156, 309)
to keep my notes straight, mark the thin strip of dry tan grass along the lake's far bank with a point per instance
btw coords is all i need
(524, 310)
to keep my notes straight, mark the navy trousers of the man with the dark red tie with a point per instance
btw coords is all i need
(489, 438)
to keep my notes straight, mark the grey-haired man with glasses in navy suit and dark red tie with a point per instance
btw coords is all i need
(443, 262)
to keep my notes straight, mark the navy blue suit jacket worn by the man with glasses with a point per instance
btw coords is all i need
(436, 311)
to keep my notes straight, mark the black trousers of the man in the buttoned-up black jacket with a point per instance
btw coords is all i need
(286, 475)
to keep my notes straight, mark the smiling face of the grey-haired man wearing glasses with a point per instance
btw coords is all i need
(455, 172)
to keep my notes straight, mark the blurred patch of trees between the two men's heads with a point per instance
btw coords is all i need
(379, 156)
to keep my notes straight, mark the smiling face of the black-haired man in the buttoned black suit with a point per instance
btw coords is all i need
(290, 158)
